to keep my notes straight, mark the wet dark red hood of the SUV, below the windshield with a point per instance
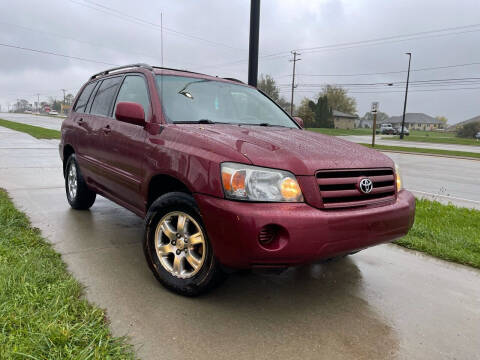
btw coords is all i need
(299, 151)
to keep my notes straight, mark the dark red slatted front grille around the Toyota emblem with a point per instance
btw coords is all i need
(340, 188)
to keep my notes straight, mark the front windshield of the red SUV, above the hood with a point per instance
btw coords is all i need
(187, 99)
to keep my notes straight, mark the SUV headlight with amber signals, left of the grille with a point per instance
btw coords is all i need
(253, 183)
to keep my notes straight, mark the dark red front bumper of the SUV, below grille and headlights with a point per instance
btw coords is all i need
(308, 233)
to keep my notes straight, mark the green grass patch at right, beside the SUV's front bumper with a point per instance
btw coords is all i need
(445, 231)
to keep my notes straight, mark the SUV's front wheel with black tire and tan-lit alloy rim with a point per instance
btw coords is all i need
(182, 263)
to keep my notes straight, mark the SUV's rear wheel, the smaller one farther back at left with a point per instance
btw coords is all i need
(79, 196)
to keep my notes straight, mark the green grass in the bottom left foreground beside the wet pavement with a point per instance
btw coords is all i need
(42, 313)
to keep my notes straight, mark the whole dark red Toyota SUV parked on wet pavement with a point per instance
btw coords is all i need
(224, 178)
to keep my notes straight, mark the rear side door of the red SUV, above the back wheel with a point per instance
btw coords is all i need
(100, 110)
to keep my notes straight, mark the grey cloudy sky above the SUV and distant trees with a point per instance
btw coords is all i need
(359, 44)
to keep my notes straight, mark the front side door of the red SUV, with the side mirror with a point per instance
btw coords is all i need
(126, 144)
